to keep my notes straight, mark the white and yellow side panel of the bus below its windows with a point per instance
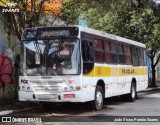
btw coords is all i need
(115, 82)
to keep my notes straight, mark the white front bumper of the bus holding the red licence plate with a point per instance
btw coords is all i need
(74, 96)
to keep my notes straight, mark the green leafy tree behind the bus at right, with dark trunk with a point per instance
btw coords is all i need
(137, 20)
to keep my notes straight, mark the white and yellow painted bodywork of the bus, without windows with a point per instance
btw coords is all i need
(117, 77)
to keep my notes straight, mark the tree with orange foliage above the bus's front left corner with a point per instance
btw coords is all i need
(30, 13)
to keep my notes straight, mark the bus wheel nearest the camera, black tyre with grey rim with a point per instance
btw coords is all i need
(97, 104)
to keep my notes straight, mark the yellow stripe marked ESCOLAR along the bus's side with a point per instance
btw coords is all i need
(115, 71)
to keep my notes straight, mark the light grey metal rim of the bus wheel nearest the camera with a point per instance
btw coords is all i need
(99, 99)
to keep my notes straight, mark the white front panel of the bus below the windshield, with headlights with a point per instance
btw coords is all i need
(54, 88)
